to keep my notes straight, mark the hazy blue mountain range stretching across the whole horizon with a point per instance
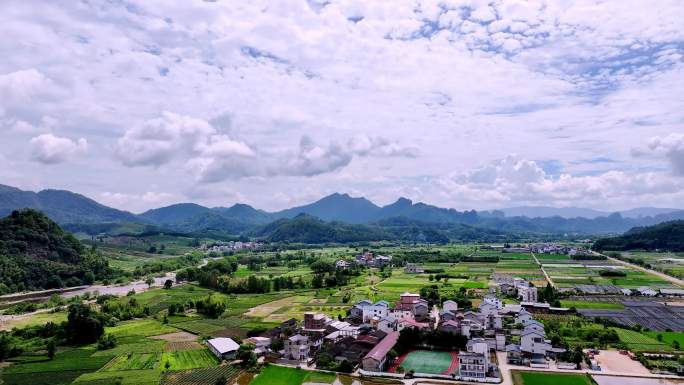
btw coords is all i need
(76, 211)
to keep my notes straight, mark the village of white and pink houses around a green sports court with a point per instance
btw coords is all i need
(398, 339)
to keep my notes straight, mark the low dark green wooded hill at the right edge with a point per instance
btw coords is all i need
(665, 236)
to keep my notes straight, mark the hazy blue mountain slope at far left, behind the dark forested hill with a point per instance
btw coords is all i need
(61, 206)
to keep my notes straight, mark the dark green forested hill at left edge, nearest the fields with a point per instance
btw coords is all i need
(35, 253)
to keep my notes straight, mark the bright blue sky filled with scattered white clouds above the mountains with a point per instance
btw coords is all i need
(466, 104)
